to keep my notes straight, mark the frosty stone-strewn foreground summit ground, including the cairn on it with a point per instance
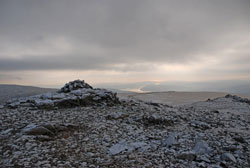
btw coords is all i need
(102, 131)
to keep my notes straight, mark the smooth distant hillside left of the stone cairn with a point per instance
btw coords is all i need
(14, 91)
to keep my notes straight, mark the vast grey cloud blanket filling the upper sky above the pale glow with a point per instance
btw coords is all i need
(131, 31)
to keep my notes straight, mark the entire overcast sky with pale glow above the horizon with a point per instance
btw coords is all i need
(50, 42)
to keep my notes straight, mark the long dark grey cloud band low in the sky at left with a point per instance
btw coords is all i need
(69, 63)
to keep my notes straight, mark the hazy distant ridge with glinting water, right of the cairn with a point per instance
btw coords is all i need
(227, 86)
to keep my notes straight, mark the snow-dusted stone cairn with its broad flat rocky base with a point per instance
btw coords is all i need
(74, 93)
